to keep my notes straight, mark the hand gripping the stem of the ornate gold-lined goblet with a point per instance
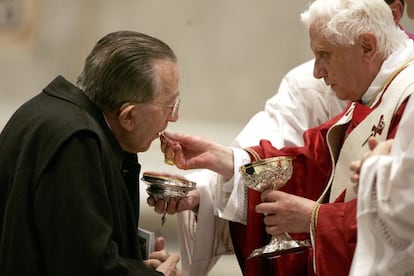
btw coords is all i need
(285, 212)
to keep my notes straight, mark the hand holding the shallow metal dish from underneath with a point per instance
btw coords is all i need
(189, 203)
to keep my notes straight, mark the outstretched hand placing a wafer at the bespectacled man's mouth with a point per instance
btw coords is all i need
(193, 152)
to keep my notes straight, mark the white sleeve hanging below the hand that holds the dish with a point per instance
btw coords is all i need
(203, 237)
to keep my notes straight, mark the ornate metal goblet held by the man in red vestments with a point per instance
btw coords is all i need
(272, 173)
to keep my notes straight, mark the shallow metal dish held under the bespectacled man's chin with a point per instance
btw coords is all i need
(167, 188)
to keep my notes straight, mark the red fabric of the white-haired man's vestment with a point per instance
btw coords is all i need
(335, 238)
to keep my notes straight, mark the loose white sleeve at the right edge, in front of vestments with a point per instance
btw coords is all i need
(385, 208)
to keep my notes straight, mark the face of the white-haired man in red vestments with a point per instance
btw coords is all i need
(343, 68)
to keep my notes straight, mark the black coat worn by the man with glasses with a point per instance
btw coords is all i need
(68, 193)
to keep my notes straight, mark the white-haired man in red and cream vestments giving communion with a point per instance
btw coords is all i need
(364, 58)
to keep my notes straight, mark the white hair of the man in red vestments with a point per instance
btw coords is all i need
(343, 21)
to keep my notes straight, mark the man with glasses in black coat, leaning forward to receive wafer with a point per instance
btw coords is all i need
(69, 177)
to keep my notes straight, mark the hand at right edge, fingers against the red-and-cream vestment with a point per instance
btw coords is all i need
(381, 148)
